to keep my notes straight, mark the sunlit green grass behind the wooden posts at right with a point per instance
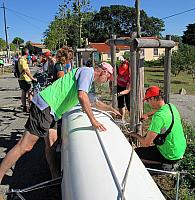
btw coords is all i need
(155, 76)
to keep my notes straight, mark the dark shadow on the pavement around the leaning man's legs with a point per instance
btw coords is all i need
(31, 169)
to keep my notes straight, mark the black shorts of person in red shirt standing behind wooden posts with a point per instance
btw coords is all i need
(124, 99)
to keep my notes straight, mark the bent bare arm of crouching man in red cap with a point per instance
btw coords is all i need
(145, 141)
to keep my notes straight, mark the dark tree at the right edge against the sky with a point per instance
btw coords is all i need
(189, 35)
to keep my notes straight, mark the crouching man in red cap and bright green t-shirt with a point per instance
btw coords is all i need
(174, 146)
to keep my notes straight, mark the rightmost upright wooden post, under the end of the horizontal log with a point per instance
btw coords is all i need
(167, 72)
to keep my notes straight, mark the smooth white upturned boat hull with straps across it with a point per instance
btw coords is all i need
(94, 163)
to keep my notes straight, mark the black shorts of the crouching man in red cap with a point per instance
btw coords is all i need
(152, 153)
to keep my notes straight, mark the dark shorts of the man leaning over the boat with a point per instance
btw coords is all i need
(40, 121)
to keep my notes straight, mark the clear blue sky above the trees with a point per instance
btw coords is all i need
(29, 19)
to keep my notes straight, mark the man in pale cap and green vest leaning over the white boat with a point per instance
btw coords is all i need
(50, 104)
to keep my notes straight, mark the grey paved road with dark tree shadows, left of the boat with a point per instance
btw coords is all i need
(32, 168)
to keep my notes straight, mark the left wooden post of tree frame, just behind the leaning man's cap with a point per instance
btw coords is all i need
(113, 63)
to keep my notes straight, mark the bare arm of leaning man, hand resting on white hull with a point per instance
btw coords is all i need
(85, 103)
